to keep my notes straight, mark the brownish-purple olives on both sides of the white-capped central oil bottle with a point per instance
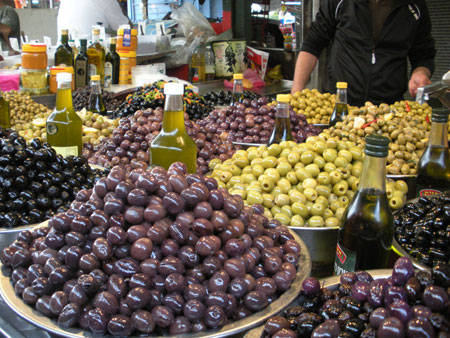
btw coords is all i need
(131, 140)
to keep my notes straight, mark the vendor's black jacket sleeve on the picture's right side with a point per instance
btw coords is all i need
(423, 50)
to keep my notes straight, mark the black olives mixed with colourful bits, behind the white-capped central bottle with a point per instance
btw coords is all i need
(152, 96)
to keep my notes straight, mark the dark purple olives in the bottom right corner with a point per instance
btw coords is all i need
(406, 304)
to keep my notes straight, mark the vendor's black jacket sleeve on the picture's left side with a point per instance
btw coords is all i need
(323, 28)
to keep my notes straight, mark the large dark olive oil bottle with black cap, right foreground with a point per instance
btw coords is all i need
(367, 229)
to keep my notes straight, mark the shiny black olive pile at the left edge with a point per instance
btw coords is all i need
(35, 183)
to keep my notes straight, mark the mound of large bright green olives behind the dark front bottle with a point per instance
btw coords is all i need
(307, 184)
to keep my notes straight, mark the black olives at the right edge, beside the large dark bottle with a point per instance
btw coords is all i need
(423, 229)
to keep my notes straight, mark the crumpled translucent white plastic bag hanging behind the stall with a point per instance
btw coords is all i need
(193, 23)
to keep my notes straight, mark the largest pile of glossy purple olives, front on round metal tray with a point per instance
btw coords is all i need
(153, 252)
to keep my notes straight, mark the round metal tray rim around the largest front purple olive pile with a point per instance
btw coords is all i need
(34, 317)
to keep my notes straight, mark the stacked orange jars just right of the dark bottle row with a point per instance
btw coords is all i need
(126, 48)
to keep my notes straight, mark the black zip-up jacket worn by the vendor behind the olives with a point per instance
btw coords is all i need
(375, 72)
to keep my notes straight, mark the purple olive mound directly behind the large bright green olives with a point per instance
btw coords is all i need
(252, 121)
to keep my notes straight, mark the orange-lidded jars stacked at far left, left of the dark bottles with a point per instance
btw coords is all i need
(33, 72)
